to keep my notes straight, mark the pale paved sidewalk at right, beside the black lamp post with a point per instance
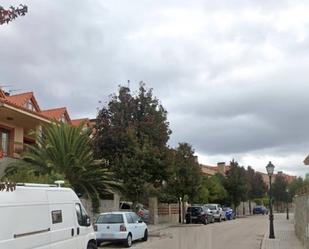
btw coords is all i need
(285, 237)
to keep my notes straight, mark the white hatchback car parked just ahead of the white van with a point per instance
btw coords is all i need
(120, 226)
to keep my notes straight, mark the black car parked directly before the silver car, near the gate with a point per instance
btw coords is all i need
(198, 214)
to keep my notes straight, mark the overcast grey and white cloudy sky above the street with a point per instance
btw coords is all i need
(233, 75)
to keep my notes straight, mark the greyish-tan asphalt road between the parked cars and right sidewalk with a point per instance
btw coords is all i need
(242, 233)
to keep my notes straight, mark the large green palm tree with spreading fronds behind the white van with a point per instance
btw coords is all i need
(66, 151)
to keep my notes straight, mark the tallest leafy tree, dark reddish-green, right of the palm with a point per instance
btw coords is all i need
(132, 132)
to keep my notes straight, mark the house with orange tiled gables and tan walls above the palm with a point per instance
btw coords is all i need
(21, 119)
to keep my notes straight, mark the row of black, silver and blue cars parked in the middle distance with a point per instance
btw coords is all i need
(208, 213)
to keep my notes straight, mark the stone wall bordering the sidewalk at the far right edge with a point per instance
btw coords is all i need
(301, 217)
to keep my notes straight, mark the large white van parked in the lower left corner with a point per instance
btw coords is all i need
(44, 217)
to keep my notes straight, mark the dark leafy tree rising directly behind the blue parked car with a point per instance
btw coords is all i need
(236, 183)
